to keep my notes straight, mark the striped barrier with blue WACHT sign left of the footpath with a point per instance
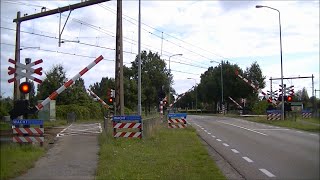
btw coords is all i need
(27, 134)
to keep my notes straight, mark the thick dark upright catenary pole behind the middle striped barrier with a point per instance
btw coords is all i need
(119, 109)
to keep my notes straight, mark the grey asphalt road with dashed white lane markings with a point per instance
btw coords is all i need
(261, 151)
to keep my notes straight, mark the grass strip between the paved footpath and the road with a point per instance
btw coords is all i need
(168, 154)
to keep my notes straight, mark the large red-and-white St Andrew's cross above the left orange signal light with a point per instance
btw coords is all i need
(18, 74)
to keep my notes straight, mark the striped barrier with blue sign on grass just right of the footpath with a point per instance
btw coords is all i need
(128, 126)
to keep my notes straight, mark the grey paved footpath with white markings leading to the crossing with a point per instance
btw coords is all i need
(74, 155)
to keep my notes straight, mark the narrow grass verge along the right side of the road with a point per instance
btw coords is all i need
(289, 123)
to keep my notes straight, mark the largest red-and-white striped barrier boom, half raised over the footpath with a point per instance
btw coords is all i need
(68, 83)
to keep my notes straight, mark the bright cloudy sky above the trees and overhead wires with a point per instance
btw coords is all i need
(202, 31)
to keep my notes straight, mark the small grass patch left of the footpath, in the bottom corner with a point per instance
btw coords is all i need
(16, 159)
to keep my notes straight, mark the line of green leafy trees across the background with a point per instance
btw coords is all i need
(154, 78)
